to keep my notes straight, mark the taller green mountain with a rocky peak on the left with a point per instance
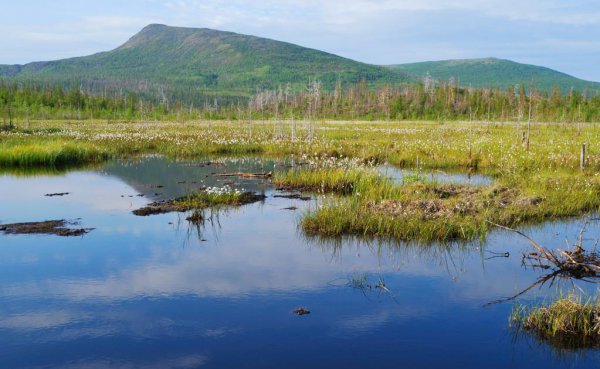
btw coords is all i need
(204, 59)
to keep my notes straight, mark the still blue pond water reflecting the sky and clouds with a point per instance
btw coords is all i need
(144, 293)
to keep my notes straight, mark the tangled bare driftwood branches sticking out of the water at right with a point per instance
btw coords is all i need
(578, 264)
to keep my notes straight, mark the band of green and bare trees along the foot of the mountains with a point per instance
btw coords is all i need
(21, 102)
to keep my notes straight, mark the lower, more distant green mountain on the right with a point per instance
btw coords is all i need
(496, 73)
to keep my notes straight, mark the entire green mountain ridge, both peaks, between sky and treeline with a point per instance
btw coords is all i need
(204, 61)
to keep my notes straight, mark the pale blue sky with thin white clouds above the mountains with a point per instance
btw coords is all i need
(560, 34)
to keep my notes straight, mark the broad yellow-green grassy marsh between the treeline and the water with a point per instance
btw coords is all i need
(531, 185)
